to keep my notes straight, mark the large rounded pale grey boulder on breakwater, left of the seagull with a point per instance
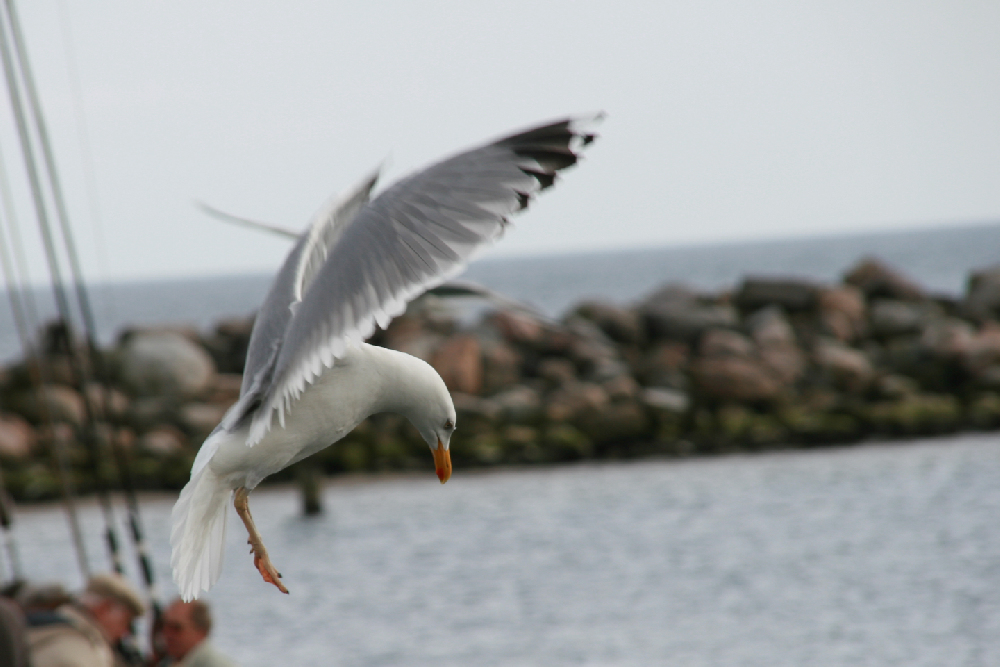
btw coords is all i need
(164, 363)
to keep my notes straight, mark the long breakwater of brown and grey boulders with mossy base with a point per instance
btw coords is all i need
(771, 363)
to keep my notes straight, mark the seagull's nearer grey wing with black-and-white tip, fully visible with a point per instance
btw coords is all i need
(414, 235)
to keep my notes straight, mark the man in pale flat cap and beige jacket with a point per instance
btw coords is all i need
(83, 633)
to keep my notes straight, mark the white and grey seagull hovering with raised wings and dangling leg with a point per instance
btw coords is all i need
(309, 377)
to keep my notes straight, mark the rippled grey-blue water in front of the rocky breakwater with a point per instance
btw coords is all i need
(873, 555)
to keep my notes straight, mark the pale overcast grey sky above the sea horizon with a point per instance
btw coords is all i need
(725, 120)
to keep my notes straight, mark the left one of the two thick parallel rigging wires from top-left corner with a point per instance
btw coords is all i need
(59, 290)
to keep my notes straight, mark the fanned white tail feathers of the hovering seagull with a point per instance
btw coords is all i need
(198, 533)
